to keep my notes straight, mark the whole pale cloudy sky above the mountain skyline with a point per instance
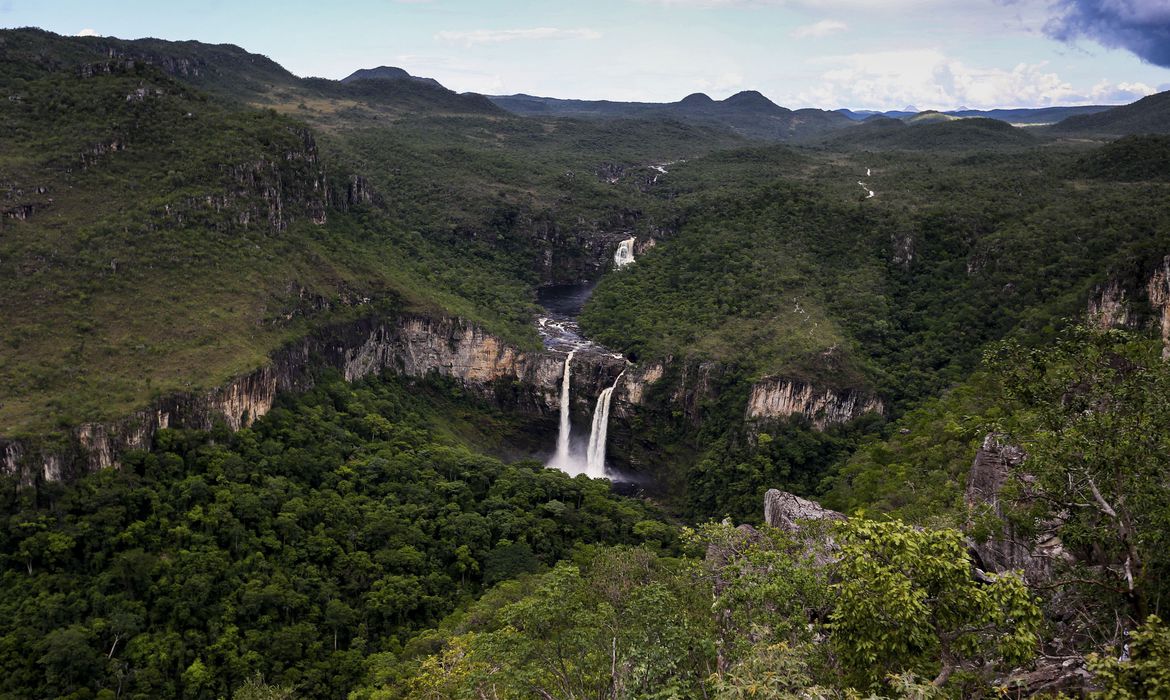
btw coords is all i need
(861, 54)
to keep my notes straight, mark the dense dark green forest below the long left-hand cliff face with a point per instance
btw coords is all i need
(335, 529)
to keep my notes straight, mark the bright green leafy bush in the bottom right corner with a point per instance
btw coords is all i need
(1146, 670)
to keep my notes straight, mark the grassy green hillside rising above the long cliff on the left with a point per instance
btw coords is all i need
(232, 230)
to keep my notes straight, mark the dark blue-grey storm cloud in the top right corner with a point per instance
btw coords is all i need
(1140, 26)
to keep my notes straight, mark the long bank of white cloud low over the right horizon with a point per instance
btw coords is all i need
(932, 80)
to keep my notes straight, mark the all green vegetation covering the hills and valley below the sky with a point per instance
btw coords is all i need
(175, 216)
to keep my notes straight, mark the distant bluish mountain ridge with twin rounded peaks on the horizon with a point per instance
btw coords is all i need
(748, 114)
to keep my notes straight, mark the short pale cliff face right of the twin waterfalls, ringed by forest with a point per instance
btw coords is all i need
(781, 399)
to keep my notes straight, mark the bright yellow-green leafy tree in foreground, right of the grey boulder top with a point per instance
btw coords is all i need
(906, 601)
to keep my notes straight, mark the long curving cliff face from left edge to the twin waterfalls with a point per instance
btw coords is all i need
(412, 346)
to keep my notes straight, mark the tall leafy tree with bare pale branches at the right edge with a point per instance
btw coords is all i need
(1092, 415)
